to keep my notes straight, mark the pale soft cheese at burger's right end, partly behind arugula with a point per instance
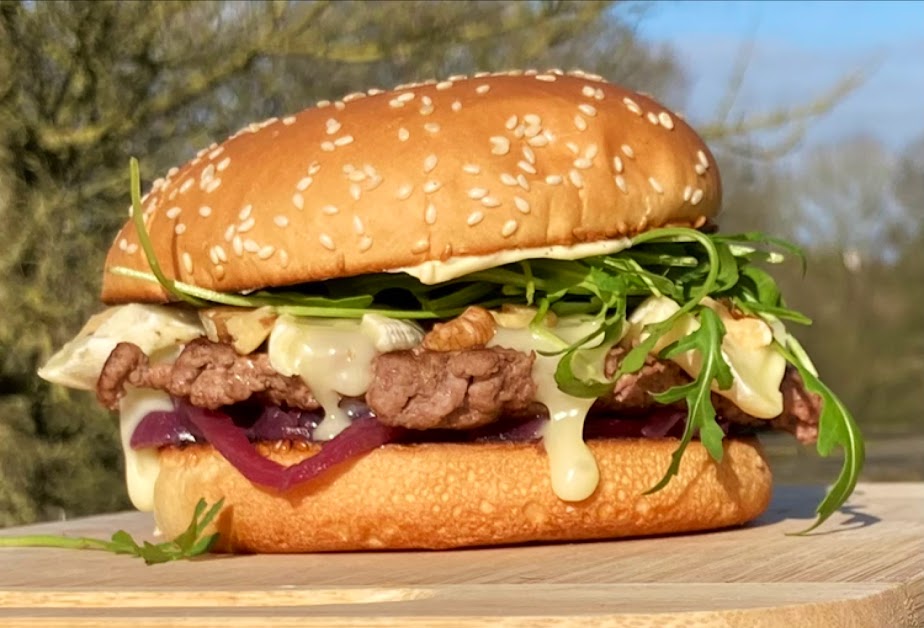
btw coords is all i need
(756, 366)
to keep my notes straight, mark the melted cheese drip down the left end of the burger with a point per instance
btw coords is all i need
(141, 466)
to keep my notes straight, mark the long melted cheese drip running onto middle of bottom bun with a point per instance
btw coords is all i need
(572, 467)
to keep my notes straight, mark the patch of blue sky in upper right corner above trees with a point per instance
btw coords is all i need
(801, 49)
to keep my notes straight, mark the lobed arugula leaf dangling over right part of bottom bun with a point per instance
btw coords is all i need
(707, 342)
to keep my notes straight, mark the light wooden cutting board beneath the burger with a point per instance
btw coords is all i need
(864, 568)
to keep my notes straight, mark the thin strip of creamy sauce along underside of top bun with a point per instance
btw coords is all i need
(433, 272)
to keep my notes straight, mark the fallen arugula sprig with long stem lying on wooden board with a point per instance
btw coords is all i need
(190, 543)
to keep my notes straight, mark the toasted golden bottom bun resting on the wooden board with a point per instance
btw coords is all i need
(440, 496)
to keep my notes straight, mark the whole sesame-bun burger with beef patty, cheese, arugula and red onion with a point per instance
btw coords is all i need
(484, 310)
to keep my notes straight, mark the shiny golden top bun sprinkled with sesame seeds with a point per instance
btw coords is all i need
(425, 172)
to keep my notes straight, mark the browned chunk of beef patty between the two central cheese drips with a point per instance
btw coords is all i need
(423, 389)
